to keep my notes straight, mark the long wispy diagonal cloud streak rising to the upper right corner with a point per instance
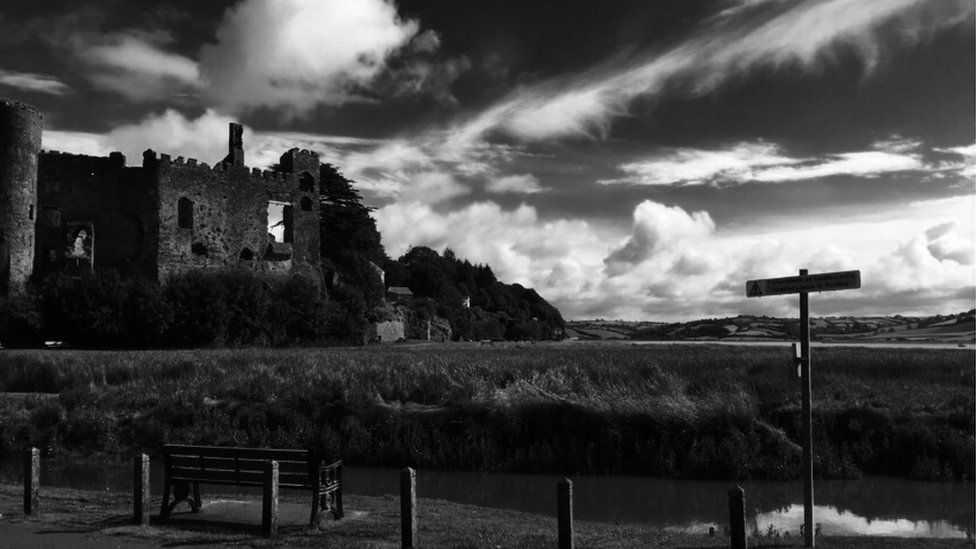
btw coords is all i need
(803, 33)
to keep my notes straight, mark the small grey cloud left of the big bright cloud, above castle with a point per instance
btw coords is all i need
(136, 65)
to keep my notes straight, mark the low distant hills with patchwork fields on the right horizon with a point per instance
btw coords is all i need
(957, 328)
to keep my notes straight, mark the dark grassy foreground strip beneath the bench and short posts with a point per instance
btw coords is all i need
(87, 519)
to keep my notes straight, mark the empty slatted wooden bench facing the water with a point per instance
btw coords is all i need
(186, 467)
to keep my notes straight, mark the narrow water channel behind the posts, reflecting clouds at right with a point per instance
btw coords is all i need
(869, 506)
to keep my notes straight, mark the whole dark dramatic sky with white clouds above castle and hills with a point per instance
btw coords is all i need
(628, 159)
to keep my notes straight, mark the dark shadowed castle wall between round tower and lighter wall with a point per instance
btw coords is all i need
(117, 204)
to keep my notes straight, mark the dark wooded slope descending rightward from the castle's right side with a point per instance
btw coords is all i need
(352, 254)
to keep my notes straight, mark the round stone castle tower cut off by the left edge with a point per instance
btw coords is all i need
(20, 142)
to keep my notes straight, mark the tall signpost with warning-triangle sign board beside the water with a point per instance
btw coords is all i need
(803, 285)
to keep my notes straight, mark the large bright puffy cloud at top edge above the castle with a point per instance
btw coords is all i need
(296, 54)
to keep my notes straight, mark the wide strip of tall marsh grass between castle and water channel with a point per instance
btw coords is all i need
(694, 411)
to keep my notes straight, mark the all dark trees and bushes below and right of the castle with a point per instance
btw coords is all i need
(231, 308)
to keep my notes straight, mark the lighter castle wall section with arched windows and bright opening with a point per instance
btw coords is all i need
(228, 226)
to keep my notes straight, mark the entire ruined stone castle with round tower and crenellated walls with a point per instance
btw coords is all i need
(73, 214)
